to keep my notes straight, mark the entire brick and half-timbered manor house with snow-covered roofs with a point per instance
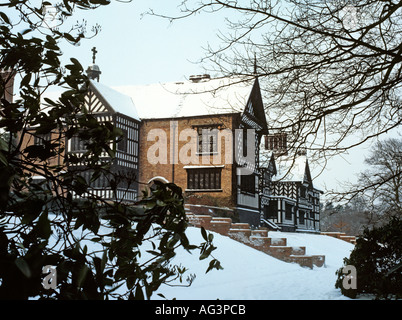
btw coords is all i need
(208, 136)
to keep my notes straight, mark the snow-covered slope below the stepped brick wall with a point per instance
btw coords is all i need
(252, 275)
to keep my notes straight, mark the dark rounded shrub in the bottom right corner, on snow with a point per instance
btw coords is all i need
(378, 261)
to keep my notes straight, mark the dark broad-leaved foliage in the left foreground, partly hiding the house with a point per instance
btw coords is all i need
(100, 250)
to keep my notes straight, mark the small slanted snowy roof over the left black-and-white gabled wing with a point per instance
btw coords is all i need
(117, 101)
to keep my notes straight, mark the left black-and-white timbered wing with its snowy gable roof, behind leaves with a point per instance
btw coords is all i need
(108, 105)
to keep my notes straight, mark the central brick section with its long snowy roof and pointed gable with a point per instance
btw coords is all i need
(204, 134)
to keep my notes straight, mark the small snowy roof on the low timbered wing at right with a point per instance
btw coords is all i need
(291, 168)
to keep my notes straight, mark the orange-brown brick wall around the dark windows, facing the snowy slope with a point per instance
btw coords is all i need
(153, 132)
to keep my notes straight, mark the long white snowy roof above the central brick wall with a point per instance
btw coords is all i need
(190, 98)
